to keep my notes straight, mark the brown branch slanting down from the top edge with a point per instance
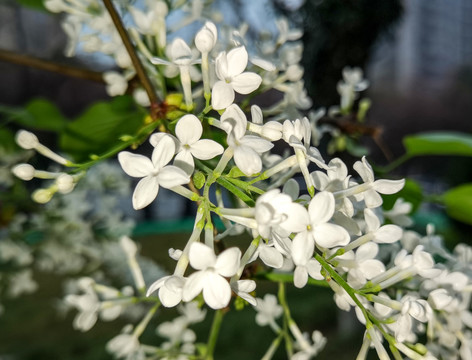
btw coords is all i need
(138, 66)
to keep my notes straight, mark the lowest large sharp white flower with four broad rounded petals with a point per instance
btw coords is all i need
(210, 275)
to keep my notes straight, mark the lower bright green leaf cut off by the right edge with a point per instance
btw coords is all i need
(458, 203)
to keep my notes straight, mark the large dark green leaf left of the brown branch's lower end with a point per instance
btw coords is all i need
(100, 127)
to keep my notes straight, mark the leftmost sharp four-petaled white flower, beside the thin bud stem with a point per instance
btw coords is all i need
(154, 172)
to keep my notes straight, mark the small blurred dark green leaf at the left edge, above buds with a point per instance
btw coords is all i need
(38, 114)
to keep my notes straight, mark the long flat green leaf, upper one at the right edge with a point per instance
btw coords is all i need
(439, 143)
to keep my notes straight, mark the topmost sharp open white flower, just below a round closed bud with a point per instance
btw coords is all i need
(229, 69)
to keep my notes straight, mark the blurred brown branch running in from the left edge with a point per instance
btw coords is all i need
(27, 60)
